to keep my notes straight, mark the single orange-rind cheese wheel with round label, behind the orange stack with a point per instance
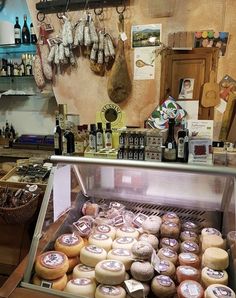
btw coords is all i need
(70, 244)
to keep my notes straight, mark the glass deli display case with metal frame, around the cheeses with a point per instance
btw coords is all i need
(204, 195)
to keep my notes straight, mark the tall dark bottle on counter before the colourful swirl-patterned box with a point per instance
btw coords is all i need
(170, 147)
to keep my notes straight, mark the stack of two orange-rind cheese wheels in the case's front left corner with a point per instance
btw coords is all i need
(51, 267)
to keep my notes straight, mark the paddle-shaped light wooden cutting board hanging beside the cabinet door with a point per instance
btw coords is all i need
(210, 93)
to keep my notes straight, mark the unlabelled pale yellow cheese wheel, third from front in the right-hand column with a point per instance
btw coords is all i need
(215, 258)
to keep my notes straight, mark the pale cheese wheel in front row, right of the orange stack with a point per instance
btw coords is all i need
(85, 287)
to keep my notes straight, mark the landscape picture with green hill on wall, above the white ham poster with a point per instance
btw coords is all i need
(146, 35)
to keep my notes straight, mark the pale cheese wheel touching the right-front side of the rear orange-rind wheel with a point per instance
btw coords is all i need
(90, 255)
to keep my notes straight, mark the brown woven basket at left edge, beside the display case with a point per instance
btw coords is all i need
(21, 214)
